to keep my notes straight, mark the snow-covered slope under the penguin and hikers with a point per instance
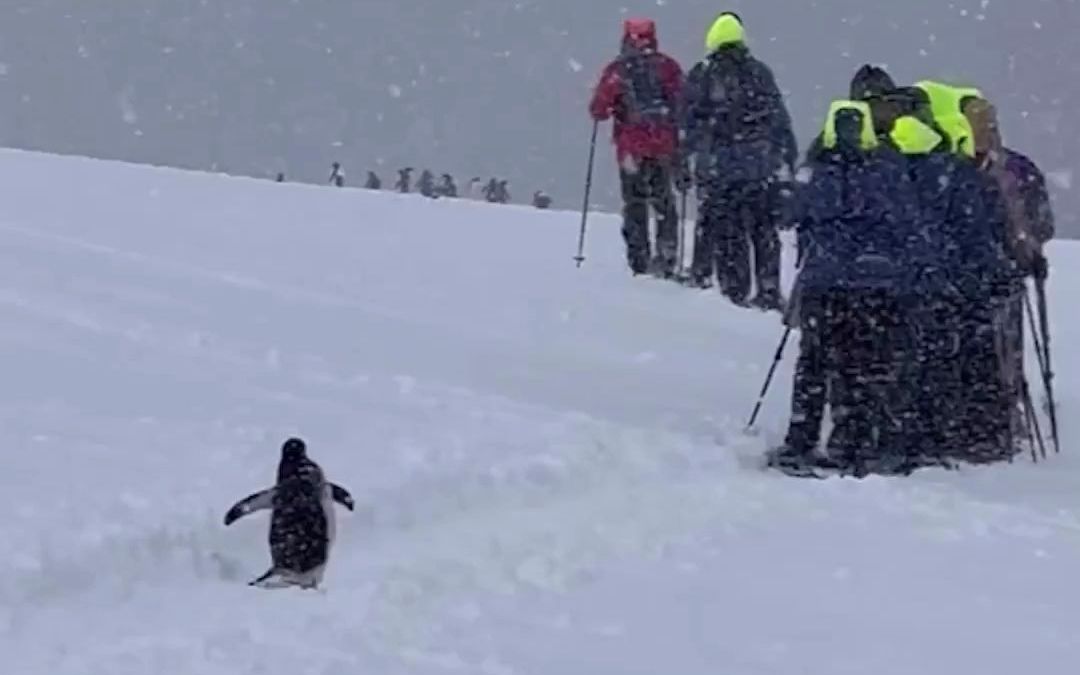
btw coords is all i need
(549, 463)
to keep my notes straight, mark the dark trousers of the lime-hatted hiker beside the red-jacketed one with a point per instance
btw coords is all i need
(735, 217)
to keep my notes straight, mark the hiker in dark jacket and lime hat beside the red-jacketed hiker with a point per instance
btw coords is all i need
(738, 131)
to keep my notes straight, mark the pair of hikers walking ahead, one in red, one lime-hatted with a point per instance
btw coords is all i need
(724, 129)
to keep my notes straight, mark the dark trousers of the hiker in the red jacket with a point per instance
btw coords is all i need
(650, 185)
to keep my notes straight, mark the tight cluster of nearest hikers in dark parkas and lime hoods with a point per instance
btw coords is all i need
(917, 232)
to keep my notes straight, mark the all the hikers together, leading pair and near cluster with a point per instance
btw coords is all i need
(917, 232)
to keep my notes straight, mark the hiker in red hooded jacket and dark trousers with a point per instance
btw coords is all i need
(641, 90)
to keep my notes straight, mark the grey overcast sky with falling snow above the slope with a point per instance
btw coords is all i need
(480, 87)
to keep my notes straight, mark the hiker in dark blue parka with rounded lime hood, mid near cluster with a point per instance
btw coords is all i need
(960, 408)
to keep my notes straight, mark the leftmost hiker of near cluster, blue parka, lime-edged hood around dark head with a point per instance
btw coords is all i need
(857, 213)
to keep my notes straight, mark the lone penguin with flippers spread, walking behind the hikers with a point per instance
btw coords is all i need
(302, 519)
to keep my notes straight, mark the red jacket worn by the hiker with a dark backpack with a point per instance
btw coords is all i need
(640, 139)
